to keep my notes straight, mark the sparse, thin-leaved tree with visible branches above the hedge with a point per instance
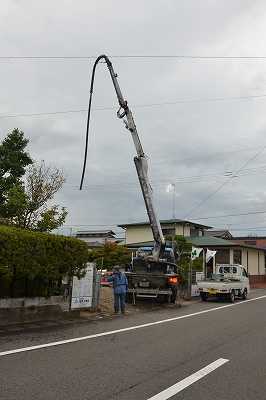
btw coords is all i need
(27, 206)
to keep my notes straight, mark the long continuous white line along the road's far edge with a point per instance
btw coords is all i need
(42, 346)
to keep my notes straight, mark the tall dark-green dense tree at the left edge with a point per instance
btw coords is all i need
(13, 161)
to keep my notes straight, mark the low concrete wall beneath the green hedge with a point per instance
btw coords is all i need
(16, 311)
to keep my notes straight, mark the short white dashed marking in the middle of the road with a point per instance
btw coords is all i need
(172, 390)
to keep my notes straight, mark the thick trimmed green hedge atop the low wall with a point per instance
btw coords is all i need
(32, 263)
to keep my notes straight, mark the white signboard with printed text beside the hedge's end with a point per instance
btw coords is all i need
(82, 289)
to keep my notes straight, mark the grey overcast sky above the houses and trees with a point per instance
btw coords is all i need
(194, 75)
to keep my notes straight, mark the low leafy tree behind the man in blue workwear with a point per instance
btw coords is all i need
(111, 254)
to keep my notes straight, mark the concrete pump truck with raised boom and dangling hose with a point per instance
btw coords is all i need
(154, 273)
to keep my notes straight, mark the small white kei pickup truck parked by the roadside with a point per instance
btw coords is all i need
(229, 281)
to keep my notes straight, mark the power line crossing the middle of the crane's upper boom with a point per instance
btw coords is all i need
(135, 106)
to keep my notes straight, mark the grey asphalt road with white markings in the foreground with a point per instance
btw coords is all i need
(202, 350)
